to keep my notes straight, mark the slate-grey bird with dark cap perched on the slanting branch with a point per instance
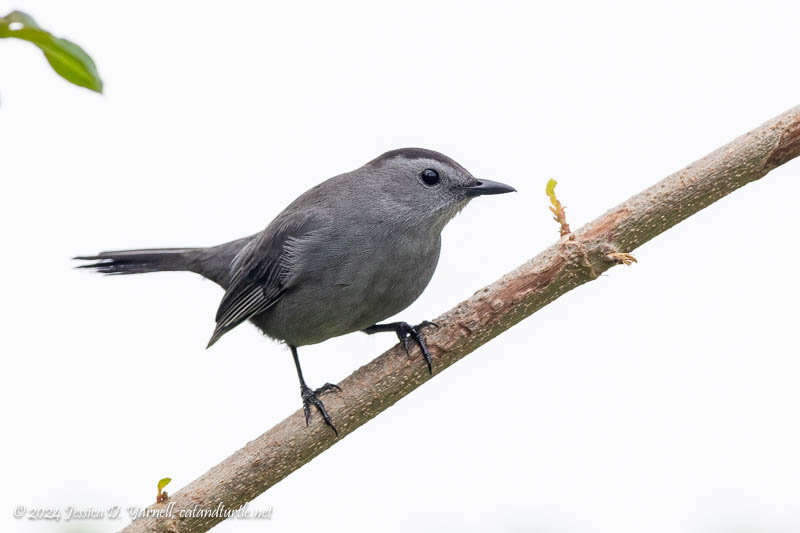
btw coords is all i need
(347, 254)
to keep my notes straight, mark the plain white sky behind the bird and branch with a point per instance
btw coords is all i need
(661, 397)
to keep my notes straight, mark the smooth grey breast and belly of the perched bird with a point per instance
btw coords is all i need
(346, 285)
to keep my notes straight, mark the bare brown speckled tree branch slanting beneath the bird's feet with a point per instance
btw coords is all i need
(576, 258)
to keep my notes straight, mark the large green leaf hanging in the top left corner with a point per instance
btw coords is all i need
(67, 58)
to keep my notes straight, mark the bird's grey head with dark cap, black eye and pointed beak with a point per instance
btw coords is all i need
(427, 186)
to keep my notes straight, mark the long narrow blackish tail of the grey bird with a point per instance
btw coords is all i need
(140, 261)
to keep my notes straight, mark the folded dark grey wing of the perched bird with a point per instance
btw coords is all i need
(260, 272)
